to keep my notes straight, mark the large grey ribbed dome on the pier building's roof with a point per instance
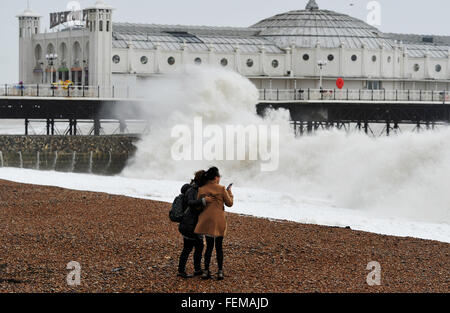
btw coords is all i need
(312, 26)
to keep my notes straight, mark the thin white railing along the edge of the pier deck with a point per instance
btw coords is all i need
(127, 92)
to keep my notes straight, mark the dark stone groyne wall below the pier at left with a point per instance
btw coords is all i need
(102, 155)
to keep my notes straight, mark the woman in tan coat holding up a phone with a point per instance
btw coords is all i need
(212, 221)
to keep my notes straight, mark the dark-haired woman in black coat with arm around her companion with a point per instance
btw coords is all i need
(188, 224)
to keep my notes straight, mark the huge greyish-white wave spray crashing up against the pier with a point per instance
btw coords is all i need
(404, 175)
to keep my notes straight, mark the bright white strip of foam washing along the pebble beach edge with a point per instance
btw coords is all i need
(254, 202)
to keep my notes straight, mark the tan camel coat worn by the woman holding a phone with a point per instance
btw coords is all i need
(212, 220)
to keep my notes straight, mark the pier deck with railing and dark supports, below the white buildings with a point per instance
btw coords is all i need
(310, 109)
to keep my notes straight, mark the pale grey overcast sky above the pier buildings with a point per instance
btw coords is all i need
(400, 16)
